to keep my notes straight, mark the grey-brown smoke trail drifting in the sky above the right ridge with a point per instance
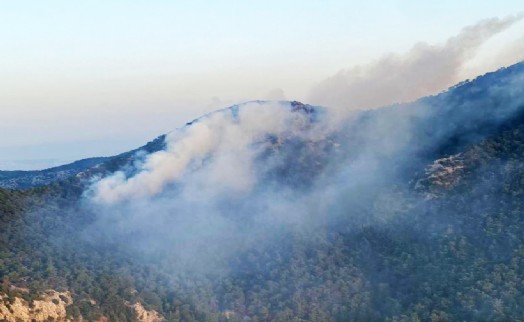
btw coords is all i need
(426, 69)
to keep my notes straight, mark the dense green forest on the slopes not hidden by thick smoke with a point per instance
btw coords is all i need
(438, 238)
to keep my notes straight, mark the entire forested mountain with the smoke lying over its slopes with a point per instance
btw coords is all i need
(279, 212)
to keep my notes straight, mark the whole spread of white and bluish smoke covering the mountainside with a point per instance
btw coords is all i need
(208, 197)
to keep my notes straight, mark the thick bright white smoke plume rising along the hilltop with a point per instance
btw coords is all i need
(229, 136)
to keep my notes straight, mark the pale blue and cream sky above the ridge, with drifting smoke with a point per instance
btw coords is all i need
(94, 78)
